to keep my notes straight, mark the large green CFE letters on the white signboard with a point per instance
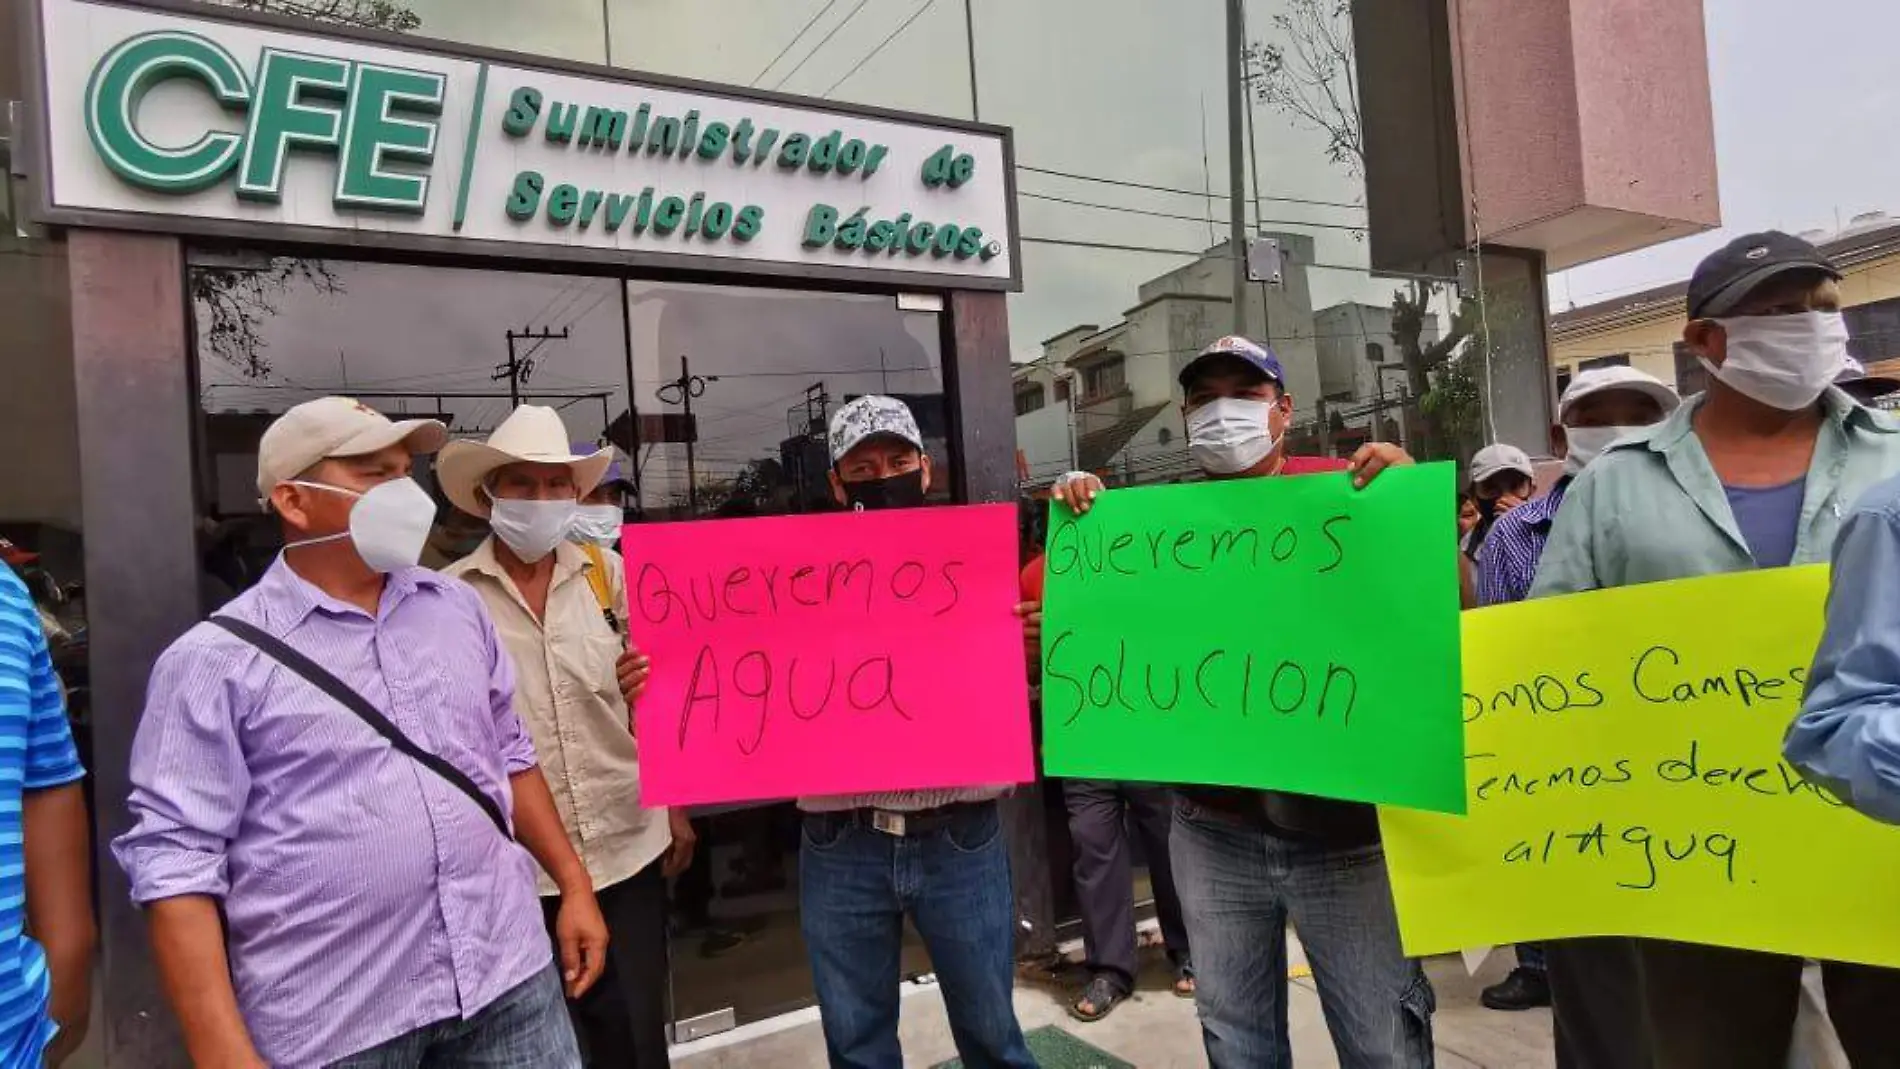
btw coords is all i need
(366, 115)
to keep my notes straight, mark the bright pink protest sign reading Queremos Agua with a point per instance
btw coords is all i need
(829, 654)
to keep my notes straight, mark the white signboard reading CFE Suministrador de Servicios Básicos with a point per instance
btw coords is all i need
(204, 124)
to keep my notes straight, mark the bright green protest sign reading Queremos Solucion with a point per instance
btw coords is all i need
(1272, 633)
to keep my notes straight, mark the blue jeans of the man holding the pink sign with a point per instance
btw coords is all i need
(856, 886)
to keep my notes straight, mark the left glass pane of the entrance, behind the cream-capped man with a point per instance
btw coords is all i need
(447, 345)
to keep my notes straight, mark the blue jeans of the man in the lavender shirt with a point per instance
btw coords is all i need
(527, 1028)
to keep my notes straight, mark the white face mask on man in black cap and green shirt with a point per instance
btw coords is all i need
(1783, 362)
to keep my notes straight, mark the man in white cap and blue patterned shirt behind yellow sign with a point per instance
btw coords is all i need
(1597, 409)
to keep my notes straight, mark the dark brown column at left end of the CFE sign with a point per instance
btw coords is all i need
(132, 369)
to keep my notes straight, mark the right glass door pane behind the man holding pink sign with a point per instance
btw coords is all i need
(734, 390)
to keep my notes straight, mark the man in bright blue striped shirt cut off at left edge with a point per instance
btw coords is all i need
(45, 852)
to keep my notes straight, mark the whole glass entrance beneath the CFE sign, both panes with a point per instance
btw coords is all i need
(717, 398)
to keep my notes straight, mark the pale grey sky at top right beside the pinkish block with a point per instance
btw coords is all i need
(1804, 102)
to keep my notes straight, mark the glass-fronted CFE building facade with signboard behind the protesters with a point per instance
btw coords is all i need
(157, 310)
